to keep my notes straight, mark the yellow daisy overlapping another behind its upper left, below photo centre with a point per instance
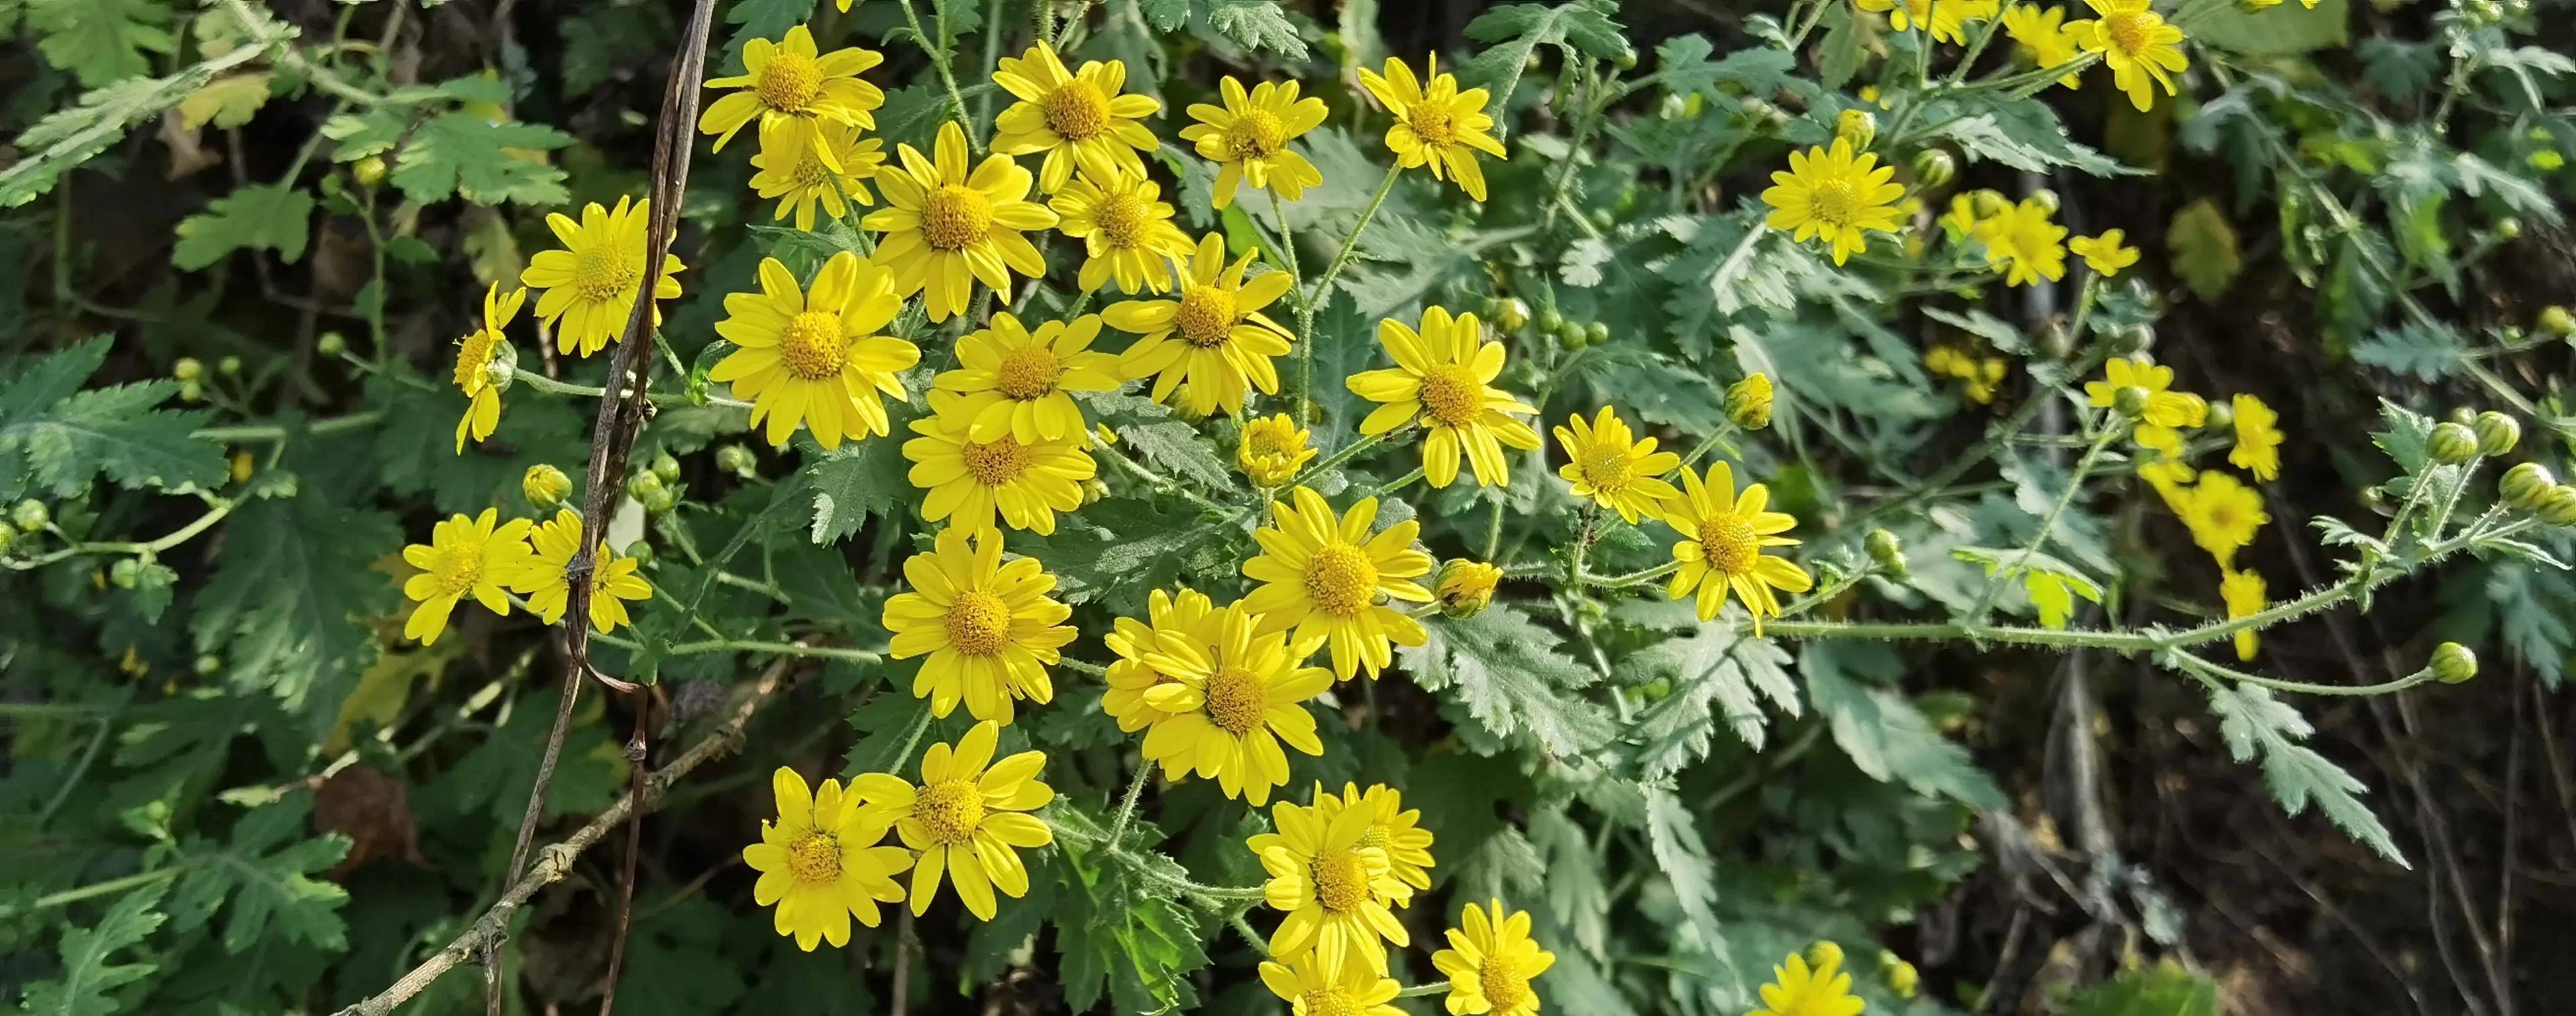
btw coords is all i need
(1230, 698)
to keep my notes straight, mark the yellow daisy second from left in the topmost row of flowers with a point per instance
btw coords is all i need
(1073, 117)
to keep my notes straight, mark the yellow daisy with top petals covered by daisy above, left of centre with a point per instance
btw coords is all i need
(970, 481)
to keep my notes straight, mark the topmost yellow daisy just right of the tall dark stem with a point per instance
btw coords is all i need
(787, 81)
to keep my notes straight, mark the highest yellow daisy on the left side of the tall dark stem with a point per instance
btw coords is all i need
(591, 288)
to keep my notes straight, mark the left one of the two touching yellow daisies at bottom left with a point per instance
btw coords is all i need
(823, 863)
